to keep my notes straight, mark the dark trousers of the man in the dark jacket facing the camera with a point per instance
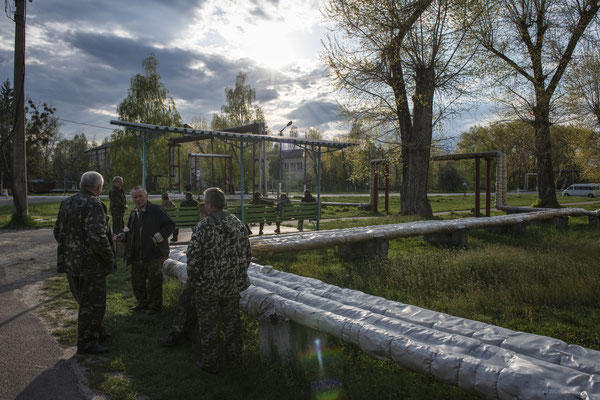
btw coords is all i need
(146, 282)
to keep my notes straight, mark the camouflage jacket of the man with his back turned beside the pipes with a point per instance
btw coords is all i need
(218, 255)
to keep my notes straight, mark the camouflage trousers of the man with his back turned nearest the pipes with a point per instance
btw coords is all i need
(211, 312)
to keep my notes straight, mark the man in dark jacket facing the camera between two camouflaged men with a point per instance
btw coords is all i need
(147, 248)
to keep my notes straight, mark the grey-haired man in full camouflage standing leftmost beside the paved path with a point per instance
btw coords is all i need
(86, 253)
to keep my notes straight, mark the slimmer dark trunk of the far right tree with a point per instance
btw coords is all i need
(543, 153)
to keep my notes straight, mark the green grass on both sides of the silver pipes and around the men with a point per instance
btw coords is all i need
(543, 281)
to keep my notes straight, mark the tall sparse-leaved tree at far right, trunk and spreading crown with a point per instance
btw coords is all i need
(531, 44)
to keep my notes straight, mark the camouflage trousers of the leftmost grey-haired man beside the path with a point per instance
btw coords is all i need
(90, 294)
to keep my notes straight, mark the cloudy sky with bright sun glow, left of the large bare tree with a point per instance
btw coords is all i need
(81, 56)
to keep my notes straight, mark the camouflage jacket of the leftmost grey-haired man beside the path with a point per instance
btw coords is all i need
(84, 237)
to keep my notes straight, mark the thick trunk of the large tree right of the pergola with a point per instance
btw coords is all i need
(416, 148)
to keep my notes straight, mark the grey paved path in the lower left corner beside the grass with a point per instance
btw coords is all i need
(32, 364)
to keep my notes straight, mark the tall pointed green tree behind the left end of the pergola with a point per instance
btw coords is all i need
(147, 102)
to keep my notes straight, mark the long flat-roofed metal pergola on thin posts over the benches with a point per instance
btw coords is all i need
(313, 147)
